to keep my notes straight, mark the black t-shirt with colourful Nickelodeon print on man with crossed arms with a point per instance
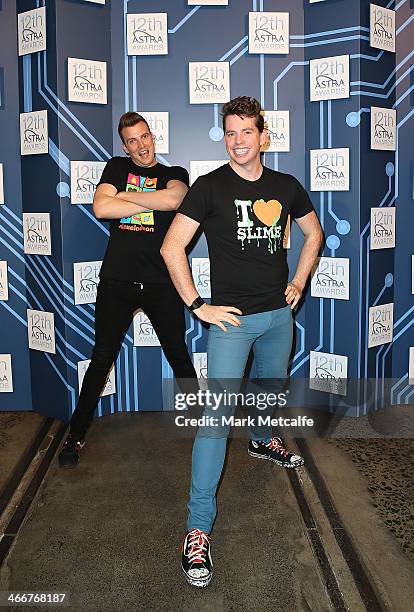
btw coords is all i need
(133, 252)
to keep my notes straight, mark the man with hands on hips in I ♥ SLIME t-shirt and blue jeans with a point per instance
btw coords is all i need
(244, 209)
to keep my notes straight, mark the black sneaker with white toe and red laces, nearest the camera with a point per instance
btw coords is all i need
(196, 559)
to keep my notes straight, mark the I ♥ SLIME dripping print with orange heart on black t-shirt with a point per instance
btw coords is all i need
(268, 214)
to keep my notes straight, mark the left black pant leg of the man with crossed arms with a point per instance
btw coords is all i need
(114, 309)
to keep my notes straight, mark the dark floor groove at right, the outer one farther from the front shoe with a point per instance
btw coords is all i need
(362, 579)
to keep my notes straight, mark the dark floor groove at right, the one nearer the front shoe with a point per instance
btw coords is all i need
(329, 577)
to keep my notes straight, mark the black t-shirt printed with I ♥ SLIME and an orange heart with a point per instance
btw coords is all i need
(244, 223)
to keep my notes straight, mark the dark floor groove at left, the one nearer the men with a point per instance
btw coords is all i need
(21, 510)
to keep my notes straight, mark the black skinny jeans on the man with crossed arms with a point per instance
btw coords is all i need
(116, 302)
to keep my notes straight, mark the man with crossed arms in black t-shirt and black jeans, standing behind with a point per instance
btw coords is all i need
(140, 196)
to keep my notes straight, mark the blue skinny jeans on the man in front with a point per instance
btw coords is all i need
(269, 334)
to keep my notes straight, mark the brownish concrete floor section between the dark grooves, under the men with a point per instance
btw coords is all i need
(108, 533)
